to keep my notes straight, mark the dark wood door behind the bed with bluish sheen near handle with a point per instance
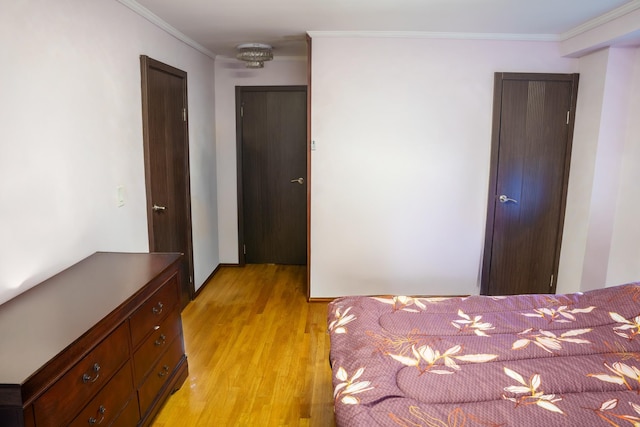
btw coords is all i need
(532, 133)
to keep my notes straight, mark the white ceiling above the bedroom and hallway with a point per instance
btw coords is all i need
(218, 26)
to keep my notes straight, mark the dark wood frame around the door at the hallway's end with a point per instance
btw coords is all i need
(239, 137)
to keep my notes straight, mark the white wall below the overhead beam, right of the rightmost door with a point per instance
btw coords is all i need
(602, 118)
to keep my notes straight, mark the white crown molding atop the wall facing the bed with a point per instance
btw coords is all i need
(434, 35)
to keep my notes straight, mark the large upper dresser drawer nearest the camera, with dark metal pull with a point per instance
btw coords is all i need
(78, 385)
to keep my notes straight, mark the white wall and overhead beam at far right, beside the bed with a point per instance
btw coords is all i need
(602, 228)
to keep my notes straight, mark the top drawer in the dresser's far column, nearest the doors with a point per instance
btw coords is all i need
(151, 313)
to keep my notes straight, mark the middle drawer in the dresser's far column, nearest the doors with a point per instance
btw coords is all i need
(156, 343)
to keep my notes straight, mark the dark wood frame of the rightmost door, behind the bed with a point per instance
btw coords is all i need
(493, 174)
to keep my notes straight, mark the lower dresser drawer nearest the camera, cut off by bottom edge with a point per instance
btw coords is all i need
(107, 404)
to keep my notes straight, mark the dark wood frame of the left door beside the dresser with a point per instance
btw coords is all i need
(146, 64)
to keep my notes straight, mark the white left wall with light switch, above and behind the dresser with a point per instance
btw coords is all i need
(72, 133)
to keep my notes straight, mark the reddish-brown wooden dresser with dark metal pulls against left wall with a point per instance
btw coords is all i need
(98, 344)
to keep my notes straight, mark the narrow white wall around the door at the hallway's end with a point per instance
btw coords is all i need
(229, 74)
